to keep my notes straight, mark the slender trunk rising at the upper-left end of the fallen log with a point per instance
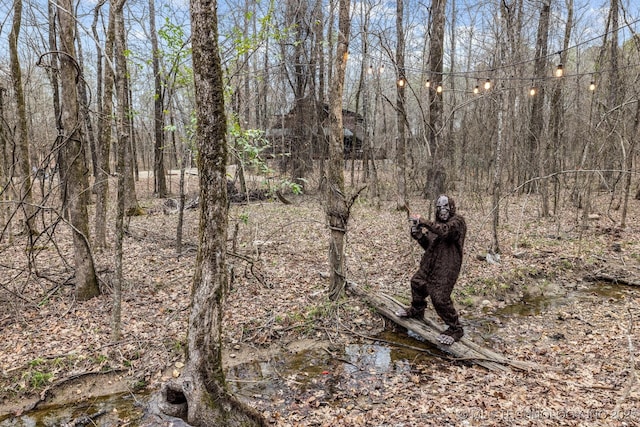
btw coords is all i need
(337, 205)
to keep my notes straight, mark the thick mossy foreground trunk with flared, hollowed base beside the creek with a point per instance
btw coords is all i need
(203, 386)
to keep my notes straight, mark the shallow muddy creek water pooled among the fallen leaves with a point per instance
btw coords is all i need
(318, 375)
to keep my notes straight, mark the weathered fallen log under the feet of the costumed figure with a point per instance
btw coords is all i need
(463, 350)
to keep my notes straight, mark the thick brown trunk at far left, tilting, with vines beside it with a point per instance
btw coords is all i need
(74, 178)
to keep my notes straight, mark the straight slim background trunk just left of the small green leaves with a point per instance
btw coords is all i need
(159, 176)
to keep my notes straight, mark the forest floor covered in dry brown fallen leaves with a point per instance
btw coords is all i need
(533, 304)
